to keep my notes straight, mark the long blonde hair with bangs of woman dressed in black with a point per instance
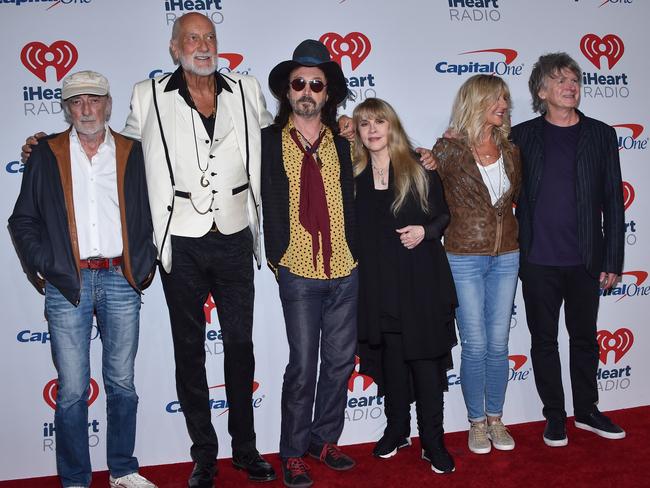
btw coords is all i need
(410, 176)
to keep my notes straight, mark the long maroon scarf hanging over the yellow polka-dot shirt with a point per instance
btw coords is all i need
(313, 211)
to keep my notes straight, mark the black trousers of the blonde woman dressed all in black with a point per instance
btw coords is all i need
(402, 380)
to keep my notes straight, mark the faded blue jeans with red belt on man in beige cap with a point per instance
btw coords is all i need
(116, 304)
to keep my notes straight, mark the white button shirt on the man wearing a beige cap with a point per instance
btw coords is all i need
(94, 193)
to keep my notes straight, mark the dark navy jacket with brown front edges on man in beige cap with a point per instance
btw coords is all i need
(43, 226)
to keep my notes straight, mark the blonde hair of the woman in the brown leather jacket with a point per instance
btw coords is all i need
(472, 101)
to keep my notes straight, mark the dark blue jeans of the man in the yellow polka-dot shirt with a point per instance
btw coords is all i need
(317, 314)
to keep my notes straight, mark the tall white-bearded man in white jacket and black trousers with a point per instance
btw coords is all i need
(200, 133)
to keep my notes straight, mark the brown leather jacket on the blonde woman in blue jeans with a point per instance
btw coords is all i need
(477, 226)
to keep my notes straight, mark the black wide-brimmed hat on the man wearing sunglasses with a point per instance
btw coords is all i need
(310, 53)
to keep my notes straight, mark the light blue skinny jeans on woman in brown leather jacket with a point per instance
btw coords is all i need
(485, 286)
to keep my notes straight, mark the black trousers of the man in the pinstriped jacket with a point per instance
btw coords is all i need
(544, 289)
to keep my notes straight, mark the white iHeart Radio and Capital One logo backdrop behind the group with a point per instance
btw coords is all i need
(413, 53)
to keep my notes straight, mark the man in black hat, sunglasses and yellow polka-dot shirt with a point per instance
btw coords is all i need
(308, 195)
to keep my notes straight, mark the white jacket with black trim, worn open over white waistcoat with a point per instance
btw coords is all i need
(152, 116)
